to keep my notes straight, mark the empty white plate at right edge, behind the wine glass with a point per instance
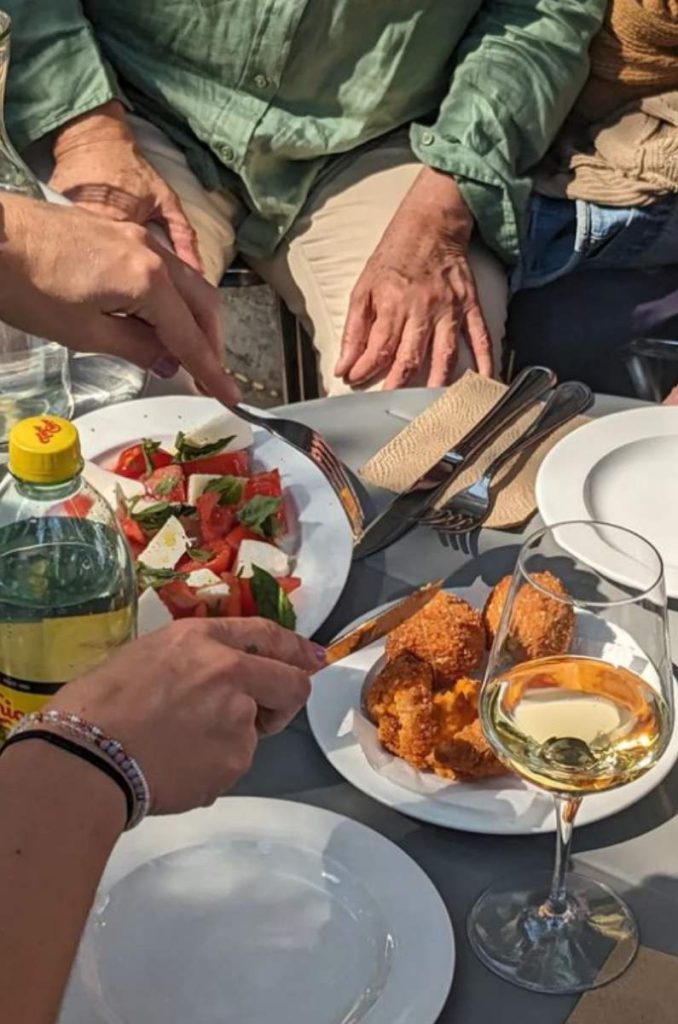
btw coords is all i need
(620, 470)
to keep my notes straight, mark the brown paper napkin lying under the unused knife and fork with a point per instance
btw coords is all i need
(428, 439)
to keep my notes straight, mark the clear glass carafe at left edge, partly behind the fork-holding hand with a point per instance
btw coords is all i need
(34, 373)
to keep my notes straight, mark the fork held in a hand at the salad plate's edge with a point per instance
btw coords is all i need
(314, 447)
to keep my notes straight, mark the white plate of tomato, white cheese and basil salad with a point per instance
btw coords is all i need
(223, 519)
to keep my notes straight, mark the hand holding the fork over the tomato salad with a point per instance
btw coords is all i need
(67, 275)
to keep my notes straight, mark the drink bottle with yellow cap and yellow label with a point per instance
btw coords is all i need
(68, 588)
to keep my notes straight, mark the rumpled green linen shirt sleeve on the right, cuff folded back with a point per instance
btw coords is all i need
(519, 72)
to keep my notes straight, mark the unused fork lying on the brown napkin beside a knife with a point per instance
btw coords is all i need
(469, 510)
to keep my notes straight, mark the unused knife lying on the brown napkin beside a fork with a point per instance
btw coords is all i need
(400, 518)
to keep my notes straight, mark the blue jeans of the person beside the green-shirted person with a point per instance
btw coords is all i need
(567, 236)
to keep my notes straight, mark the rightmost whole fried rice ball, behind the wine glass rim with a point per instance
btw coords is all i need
(541, 627)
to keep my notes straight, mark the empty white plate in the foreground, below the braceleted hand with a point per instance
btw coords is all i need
(262, 911)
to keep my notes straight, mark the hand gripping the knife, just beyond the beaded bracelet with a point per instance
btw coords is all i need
(190, 702)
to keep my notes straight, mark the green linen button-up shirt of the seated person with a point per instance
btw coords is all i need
(261, 95)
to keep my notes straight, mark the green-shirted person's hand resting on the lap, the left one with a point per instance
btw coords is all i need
(99, 166)
